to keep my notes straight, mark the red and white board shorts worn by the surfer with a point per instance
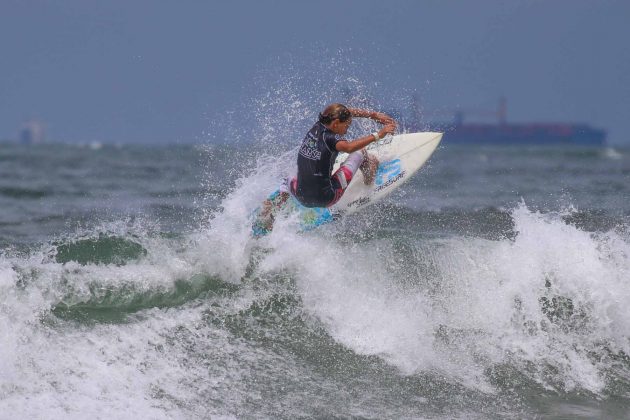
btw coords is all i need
(339, 181)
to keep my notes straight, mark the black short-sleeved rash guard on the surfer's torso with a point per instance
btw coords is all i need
(315, 162)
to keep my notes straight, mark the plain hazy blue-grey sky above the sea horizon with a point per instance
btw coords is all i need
(171, 71)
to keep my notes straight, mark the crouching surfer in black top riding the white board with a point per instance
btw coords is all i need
(315, 184)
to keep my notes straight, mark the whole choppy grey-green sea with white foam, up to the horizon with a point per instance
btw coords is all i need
(494, 284)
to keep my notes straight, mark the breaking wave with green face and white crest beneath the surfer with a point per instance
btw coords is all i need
(540, 294)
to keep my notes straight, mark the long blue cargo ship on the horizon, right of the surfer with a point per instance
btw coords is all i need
(503, 133)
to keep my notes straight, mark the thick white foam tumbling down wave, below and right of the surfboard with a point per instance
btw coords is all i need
(485, 302)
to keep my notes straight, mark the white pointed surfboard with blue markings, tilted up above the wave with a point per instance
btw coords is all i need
(400, 157)
